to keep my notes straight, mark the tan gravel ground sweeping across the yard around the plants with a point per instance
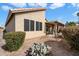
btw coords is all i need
(59, 47)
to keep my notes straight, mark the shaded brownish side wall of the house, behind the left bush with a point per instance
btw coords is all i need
(11, 25)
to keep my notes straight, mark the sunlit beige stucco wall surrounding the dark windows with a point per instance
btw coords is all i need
(36, 16)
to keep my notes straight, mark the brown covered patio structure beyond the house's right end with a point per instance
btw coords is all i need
(53, 26)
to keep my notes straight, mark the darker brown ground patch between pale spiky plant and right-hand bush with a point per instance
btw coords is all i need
(58, 49)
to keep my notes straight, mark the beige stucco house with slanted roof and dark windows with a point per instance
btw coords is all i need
(29, 20)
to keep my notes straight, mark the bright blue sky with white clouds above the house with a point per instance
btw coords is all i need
(55, 11)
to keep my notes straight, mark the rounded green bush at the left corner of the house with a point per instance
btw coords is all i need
(14, 40)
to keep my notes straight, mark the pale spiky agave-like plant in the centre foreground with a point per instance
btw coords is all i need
(38, 49)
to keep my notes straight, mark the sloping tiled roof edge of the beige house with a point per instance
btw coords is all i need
(20, 10)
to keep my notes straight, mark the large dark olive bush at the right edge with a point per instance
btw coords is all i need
(71, 34)
